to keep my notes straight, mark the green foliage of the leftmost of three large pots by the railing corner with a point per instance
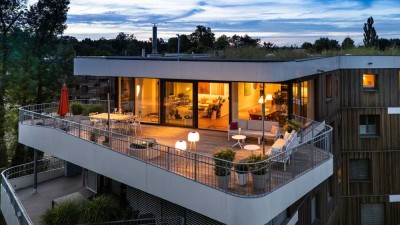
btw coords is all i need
(222, 168)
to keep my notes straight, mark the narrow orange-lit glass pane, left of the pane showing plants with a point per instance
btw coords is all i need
(147, 98)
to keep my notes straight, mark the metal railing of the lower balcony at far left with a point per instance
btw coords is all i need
(47, 164)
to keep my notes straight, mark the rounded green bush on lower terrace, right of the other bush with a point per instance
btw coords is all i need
(101, 209)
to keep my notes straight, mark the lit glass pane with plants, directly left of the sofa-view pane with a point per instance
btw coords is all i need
(178, 103)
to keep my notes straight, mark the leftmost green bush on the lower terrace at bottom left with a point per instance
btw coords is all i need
(66, 213)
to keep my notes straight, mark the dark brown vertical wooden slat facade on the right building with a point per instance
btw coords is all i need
(382, 150)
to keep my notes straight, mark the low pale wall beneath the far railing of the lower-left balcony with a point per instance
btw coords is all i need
(26, 181)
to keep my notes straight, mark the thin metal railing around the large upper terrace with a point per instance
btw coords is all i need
(258, 179)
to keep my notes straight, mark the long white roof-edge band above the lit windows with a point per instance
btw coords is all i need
(227, 71)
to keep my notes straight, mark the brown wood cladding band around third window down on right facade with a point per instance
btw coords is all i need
(384, 173)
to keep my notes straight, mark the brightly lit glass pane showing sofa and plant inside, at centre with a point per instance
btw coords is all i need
(213, 105)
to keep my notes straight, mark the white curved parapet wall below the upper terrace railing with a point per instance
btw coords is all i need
(177, 189)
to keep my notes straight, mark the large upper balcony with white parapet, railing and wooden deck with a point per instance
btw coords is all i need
(174, 175)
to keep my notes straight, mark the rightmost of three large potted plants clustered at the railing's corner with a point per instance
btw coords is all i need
(259, 172)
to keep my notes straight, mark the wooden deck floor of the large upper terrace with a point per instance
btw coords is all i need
(202, 169)
